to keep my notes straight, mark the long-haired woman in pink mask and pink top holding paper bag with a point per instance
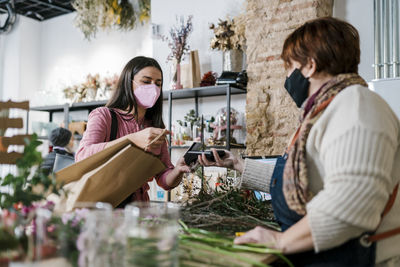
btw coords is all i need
(137, 107)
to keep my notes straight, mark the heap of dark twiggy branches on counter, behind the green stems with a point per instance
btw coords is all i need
(227, 209)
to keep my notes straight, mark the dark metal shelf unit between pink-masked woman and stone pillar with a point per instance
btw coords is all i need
(195, 93)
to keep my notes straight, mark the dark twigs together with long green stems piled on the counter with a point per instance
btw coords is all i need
(209, 222)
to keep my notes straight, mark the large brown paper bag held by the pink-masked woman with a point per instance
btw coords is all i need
(108, 176)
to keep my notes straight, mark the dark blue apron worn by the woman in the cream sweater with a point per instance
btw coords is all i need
(352, 253)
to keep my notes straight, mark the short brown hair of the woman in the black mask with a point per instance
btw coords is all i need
(333, 44)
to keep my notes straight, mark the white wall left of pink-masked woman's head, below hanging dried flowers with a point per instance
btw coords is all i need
(50, 55)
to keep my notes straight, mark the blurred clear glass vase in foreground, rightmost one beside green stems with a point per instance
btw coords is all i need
(152, 234)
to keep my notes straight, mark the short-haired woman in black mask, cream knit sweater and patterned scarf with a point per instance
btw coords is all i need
(331, 187)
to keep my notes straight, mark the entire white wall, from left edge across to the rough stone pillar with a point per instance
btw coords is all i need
(42, 58)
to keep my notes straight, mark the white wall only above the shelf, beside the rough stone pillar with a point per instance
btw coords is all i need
(204, 12)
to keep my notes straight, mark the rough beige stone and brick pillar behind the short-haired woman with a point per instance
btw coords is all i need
(270, 113)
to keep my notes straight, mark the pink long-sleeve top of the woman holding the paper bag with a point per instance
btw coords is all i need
(97, 135)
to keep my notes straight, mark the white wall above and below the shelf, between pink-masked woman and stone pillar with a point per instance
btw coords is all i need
(204, 12)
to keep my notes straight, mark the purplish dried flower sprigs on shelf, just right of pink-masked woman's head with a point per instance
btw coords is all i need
(178, 39)
